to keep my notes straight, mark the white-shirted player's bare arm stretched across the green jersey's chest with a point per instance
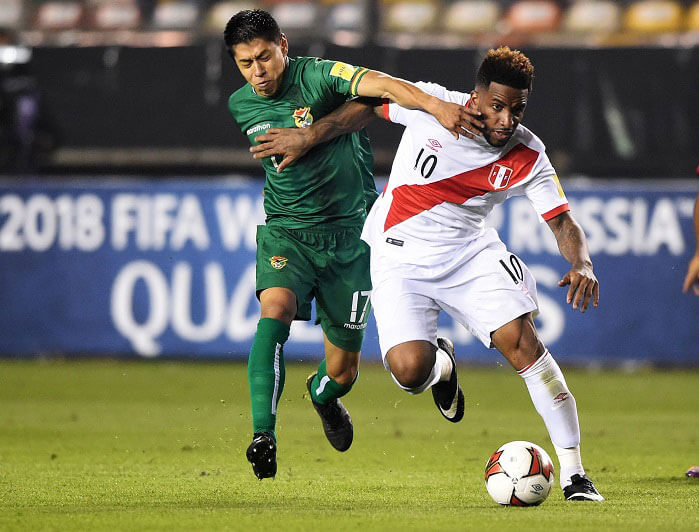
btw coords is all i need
(294, 143)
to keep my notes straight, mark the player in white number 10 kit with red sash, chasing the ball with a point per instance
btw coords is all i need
(431, 251)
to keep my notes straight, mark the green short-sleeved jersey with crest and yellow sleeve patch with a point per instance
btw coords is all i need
(332, 184)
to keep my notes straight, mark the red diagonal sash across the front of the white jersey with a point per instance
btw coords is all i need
(409, 200)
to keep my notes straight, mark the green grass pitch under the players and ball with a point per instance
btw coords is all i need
(94, 445)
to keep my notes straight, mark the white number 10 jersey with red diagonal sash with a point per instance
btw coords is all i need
(441, 189)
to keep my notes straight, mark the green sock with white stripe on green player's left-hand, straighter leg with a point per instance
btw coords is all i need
(266, 373)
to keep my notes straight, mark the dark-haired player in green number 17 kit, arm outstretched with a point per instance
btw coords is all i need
(310, 246)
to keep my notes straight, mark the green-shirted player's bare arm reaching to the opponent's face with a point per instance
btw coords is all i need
(456, 118)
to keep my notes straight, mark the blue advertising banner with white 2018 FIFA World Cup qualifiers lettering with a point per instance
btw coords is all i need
(166, 267)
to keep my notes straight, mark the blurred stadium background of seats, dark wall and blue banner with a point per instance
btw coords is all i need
(128, 200)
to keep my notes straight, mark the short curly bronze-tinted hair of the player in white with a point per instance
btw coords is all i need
(507, 67)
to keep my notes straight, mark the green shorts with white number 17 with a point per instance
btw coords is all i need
(328, 264)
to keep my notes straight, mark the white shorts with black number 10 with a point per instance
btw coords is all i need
(481, 285)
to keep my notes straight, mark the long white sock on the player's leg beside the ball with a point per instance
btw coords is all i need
(556, 405)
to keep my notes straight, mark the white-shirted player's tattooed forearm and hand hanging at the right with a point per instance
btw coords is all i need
(581, 281)
